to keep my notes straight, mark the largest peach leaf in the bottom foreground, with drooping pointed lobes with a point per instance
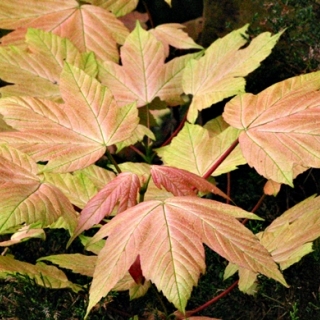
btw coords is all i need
(168, 236)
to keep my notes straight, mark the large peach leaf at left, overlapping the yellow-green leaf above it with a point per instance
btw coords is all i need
(72, 135)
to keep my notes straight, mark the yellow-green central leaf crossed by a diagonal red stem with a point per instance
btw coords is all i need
(196, 149)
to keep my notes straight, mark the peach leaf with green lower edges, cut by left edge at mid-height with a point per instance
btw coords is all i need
(24, 198)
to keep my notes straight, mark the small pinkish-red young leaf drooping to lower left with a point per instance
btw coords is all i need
(123, 190)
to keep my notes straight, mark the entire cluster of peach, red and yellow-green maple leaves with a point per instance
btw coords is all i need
(84, 90)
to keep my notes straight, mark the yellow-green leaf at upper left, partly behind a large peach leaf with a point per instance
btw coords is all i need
(36, 71)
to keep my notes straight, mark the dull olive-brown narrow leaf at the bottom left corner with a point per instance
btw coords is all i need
(46, 276)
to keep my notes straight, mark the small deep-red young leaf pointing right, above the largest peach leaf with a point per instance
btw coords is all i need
(181, 182)
